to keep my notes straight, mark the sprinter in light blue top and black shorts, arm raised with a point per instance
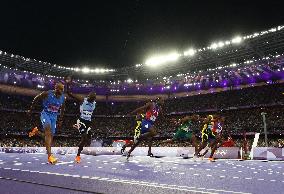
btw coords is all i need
(87, 107)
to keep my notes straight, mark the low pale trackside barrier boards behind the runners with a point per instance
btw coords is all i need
(222, 152)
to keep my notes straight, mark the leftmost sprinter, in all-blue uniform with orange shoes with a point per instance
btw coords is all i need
(53, 102)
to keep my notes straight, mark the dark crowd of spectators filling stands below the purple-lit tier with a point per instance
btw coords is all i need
(241, 108)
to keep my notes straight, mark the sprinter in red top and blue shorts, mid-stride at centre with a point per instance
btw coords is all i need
(148, 129)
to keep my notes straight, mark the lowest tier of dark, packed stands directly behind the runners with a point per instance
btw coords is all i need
(237, 121)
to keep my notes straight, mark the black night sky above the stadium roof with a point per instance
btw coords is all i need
(120, 32)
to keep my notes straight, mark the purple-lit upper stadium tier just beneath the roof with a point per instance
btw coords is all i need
(264, 71)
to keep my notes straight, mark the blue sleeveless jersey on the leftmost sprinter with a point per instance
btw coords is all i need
(52, 104)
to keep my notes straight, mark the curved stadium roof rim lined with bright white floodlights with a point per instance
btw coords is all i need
(237, 50)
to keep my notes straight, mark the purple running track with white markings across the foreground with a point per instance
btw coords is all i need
(29, 173)
